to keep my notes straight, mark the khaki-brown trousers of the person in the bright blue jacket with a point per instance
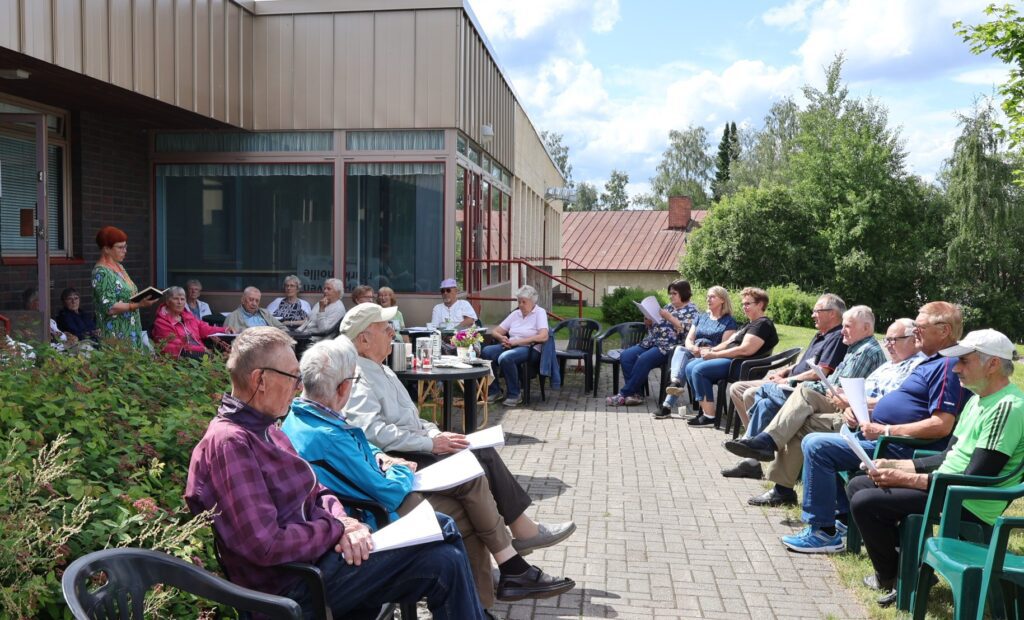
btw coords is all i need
(473, 507)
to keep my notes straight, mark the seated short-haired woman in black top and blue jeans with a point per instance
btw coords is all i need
(757, 338)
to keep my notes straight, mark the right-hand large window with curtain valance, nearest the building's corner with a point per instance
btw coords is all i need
(395, 215)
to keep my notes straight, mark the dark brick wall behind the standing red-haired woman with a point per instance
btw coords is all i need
(111, 181)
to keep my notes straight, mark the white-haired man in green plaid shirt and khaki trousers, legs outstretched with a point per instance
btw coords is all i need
(807, 409)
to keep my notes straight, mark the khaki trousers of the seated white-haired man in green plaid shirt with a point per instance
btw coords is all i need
(805, 411)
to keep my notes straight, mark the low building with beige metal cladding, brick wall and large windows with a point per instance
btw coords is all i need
(239, 143)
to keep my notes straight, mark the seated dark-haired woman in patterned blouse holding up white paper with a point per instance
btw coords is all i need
(639, 360)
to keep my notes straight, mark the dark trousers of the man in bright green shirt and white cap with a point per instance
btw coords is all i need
(878, 514)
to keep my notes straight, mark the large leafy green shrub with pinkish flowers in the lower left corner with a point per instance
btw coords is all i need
(132, 423)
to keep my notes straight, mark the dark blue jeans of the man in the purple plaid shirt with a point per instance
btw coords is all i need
(439, 571)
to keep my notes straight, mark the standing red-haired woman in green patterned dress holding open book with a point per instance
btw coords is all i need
(113, 290)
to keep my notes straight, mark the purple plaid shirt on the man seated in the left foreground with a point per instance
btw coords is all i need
(271, 510)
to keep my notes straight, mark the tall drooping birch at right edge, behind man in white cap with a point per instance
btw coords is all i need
(986, 258)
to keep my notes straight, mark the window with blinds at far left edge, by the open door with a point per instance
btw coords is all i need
(18, 183)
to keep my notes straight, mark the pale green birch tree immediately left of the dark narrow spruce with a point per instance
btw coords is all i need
(686, 170)
